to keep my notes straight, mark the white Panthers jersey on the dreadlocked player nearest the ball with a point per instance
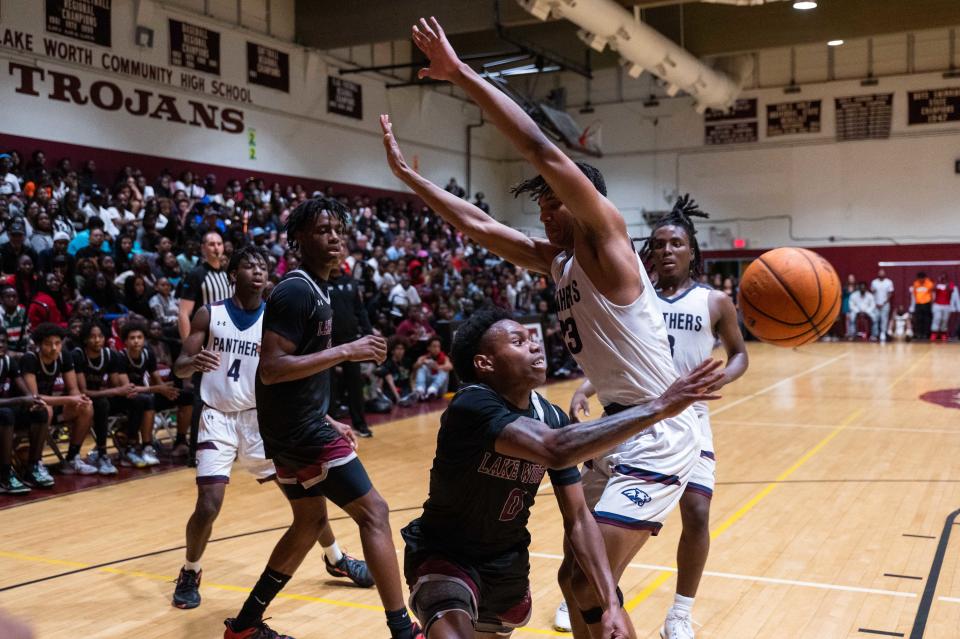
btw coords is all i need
(689, 329)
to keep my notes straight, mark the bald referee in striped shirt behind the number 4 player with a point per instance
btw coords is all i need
(206, 283)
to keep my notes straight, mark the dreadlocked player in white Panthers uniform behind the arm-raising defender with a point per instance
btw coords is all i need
(695, 315)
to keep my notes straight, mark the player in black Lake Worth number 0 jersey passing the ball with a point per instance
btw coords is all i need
(466, 559)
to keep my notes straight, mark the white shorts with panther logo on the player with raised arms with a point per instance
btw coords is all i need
(639, 483)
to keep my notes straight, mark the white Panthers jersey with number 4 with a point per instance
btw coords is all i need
(234, 335)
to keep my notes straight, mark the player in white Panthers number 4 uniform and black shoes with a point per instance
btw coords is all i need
(224, 345)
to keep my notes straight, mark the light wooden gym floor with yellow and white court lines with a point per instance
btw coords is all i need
(837, 493)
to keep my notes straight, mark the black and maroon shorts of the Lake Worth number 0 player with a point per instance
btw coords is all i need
(493, 592)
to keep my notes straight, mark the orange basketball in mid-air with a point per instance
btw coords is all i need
(789, 297)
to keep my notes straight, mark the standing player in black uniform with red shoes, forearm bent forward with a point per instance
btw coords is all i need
(314, 460)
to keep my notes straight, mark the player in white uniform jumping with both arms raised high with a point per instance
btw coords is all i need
(606, 304)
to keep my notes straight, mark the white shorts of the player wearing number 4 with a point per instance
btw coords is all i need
(227, 437)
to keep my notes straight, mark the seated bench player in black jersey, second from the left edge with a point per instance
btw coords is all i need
(49, 375)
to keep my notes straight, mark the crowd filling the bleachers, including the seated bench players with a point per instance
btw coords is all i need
(85, 264)
